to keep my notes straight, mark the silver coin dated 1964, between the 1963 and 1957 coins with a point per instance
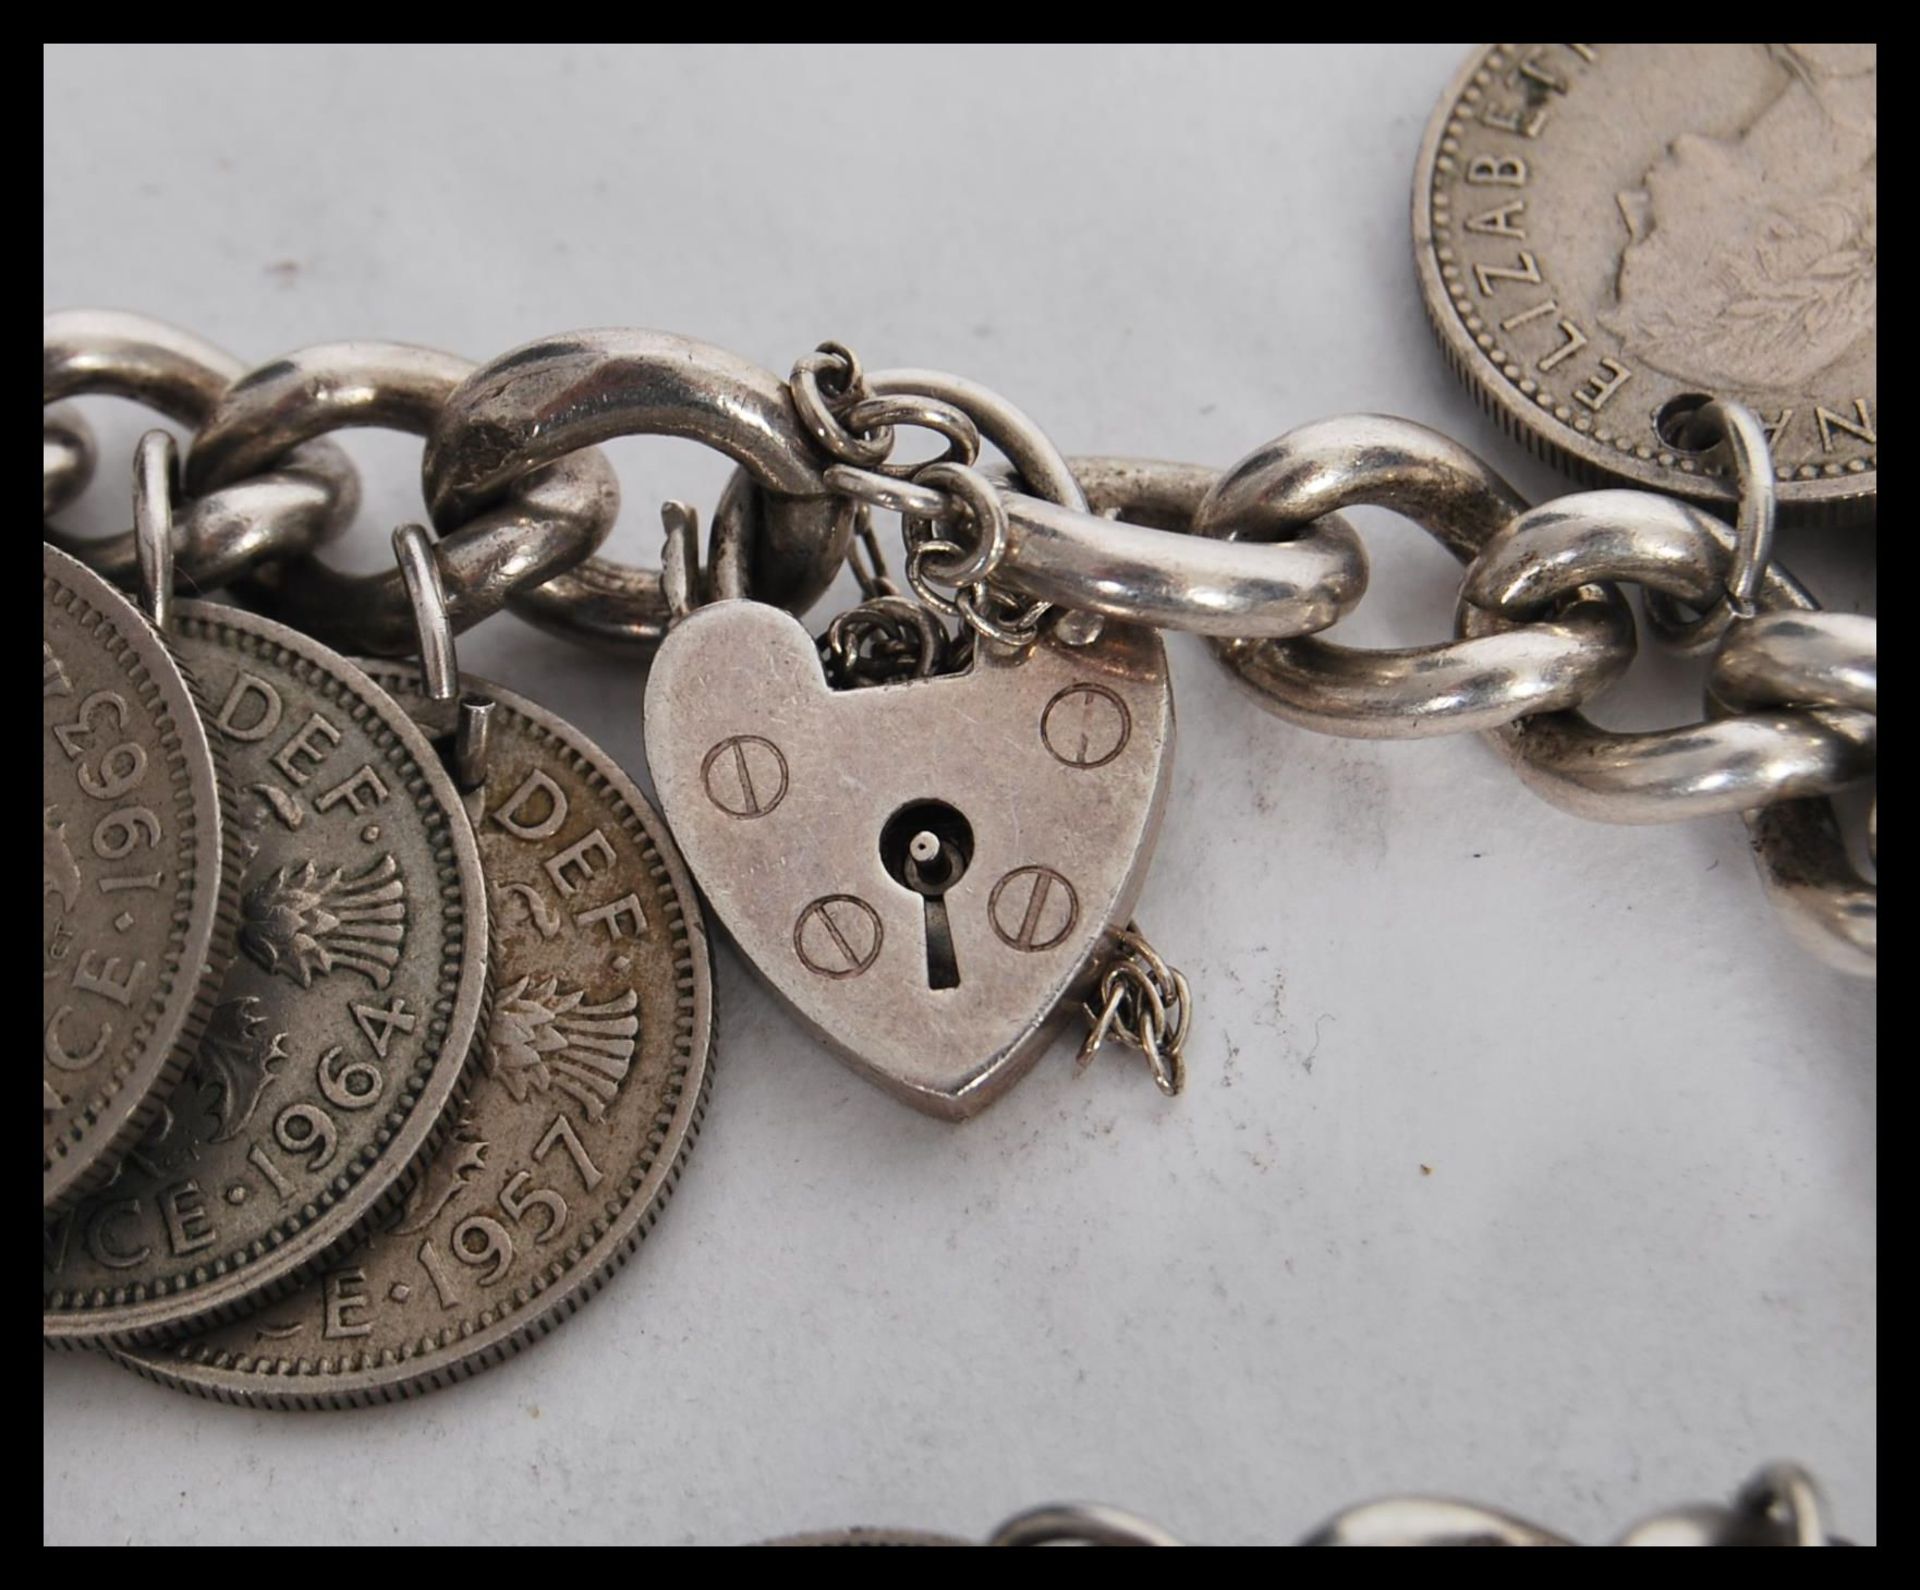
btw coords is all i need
(343, 1026)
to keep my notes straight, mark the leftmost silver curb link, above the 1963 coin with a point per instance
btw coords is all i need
(283, 512)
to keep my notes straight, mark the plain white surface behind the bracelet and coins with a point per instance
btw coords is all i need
(1524, 1159)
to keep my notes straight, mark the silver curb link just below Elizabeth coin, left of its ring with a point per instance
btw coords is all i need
(1727, 765)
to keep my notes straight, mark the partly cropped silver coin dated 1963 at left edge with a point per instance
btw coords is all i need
(139, 902)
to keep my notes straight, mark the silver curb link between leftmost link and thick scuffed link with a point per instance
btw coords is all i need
(546, 523)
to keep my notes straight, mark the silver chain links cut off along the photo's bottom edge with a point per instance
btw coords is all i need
(1779, 1506)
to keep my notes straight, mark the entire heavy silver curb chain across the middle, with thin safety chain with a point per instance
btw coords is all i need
(1257, 558)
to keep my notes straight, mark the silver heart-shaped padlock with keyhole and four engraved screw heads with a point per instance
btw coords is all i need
(926, 871)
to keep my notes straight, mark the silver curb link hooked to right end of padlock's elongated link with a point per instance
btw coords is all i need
(1566, 658)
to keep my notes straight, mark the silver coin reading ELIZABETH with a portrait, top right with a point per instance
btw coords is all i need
(1608, 235)
